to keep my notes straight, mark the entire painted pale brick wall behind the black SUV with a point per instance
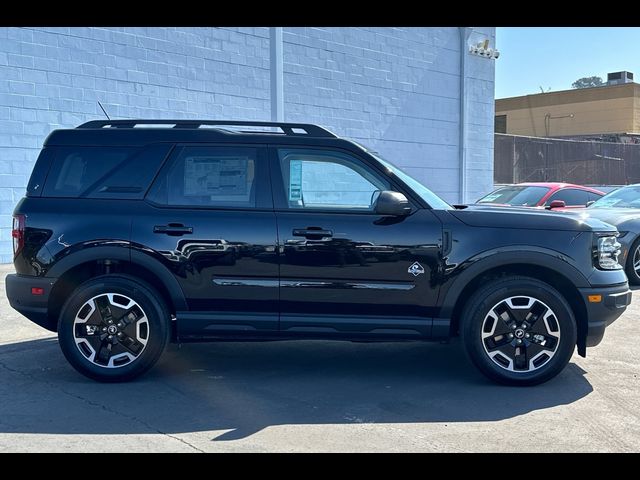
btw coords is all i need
(395, 89)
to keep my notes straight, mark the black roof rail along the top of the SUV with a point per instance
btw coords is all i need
(287, 128)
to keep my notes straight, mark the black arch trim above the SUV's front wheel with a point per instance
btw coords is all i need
(503, 257)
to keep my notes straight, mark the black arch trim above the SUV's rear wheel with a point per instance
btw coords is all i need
(129, 255)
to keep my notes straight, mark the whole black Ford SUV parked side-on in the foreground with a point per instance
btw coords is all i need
(136, 233)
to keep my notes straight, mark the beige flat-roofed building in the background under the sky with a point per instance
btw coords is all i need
(609, 109)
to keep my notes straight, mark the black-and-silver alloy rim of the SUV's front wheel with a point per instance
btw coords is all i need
(520, 334)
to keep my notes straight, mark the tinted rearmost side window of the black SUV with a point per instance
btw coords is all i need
(103, 172)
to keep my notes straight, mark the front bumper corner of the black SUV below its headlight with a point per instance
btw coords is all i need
(603, 313)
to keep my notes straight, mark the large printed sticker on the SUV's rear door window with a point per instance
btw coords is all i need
(215, 176)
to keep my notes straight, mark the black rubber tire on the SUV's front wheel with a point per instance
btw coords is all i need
(495, 294)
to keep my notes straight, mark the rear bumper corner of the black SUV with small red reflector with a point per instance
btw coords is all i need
(34, 307)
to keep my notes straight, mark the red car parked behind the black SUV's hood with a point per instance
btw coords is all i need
(543, 194)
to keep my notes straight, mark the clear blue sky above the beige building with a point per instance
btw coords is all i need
(533, 57)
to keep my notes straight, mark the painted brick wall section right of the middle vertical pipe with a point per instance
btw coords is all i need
(397, 90)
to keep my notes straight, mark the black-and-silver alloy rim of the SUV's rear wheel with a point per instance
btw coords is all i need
(111, 330)
